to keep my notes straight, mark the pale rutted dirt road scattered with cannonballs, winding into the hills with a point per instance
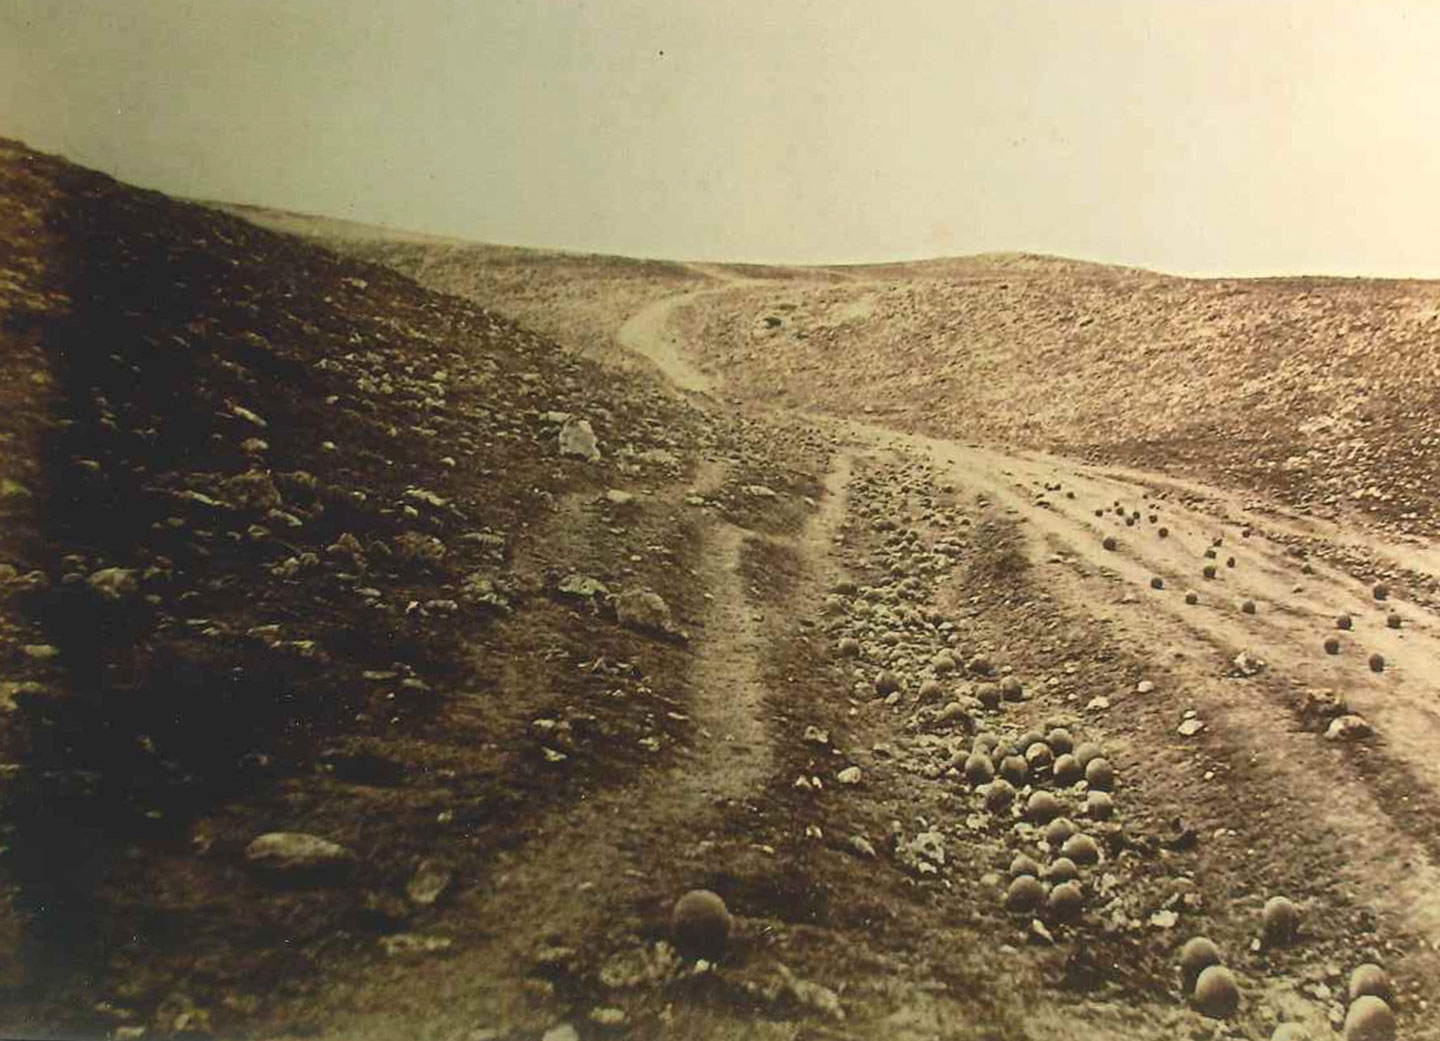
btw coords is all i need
(1291, 810)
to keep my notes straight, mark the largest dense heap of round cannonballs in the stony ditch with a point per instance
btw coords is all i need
(1002, 768)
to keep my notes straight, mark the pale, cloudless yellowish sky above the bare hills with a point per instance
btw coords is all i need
(1205, 138)
